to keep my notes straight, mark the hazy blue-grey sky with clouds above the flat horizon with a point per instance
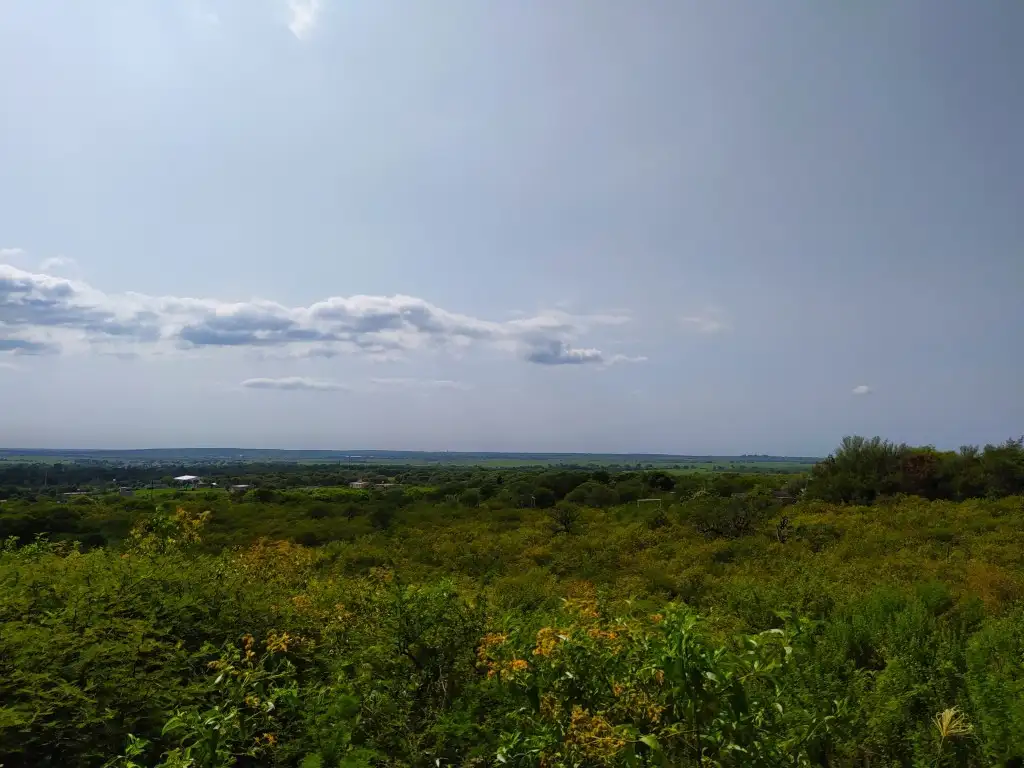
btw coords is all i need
(588, 226)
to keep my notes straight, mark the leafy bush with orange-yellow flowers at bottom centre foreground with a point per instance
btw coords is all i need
(659, 690)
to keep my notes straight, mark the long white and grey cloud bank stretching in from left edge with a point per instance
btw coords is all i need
(44, 313)
